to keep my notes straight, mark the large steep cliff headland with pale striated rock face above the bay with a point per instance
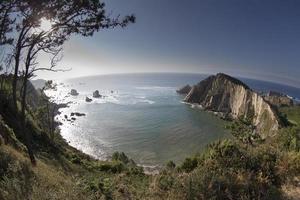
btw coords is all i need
(222, 93)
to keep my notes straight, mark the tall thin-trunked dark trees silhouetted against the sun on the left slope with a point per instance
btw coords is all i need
(68, 17)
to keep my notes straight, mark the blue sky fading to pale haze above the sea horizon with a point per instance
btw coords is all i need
(246, 38)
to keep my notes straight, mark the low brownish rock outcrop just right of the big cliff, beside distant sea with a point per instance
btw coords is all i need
(279, 100)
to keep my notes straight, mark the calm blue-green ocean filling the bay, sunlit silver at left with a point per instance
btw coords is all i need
(141, 115)
